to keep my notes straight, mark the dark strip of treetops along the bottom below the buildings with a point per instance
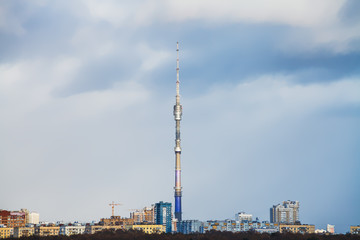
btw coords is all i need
(213, 235)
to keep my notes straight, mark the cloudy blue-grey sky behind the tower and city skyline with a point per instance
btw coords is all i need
(271, 107)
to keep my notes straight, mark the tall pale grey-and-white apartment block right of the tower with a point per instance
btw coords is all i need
(287, 213)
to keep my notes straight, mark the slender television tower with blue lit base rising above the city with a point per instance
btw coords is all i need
(177, 115)
